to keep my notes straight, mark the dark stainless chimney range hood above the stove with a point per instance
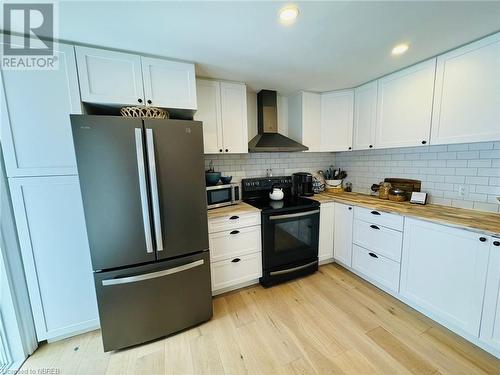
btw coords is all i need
(268, 139)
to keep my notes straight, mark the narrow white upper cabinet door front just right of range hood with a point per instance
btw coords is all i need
(311, 121)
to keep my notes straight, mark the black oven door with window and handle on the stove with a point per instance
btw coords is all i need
(290, 240)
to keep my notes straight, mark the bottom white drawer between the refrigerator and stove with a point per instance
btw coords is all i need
(230, 272)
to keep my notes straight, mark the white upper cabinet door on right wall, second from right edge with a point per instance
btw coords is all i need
(404, 106)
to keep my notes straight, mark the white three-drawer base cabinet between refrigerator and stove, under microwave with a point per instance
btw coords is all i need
(235, 251)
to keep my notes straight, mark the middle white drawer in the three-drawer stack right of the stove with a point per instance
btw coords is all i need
(382, 240)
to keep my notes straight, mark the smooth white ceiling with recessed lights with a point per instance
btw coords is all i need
(332, 45)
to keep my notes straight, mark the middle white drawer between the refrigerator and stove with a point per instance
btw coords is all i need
(240, 241)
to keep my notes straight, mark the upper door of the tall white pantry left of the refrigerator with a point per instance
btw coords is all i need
(36, 131)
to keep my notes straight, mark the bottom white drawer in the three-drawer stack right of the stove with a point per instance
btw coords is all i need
(376, 267)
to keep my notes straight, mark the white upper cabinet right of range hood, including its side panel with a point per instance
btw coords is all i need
(304, 119)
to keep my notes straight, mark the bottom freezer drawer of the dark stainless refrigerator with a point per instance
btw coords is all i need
(143, 303)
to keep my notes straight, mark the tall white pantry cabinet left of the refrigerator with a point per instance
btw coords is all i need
(38, 150)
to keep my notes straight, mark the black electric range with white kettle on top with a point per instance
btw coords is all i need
(290, 229)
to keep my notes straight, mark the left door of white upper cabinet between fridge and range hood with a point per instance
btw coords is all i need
(209, 112)
